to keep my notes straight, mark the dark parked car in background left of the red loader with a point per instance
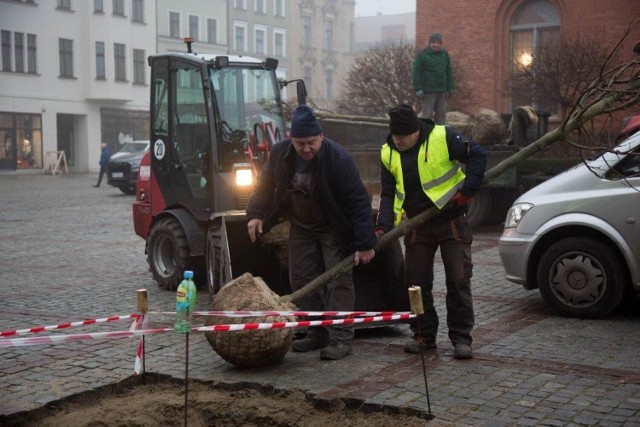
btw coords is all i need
(122, 170)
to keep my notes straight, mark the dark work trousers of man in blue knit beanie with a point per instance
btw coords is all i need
(310, 254)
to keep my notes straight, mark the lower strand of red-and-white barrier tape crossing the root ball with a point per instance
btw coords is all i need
(55, 339)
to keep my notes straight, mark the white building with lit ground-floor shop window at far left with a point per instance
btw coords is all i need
(73, 73)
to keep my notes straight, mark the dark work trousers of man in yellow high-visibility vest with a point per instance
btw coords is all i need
(454, 240)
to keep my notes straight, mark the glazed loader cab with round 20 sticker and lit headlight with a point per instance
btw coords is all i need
(213, 121)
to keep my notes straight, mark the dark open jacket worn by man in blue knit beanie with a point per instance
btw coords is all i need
(342, 194)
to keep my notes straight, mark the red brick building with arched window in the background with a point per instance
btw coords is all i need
(486, 37)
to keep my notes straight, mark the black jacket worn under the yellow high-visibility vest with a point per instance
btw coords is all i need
(461, 148)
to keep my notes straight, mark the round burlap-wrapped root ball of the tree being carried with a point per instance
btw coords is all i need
(249, 348)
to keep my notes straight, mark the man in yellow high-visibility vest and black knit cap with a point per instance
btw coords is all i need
(421, 168)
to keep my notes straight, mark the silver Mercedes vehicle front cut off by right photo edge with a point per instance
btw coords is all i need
(576, 237)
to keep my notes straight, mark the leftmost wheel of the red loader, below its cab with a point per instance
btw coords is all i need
(168, 253)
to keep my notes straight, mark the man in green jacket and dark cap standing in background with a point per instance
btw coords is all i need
(433, 79)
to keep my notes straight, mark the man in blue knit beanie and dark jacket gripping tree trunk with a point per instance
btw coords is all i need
(312, 182)
